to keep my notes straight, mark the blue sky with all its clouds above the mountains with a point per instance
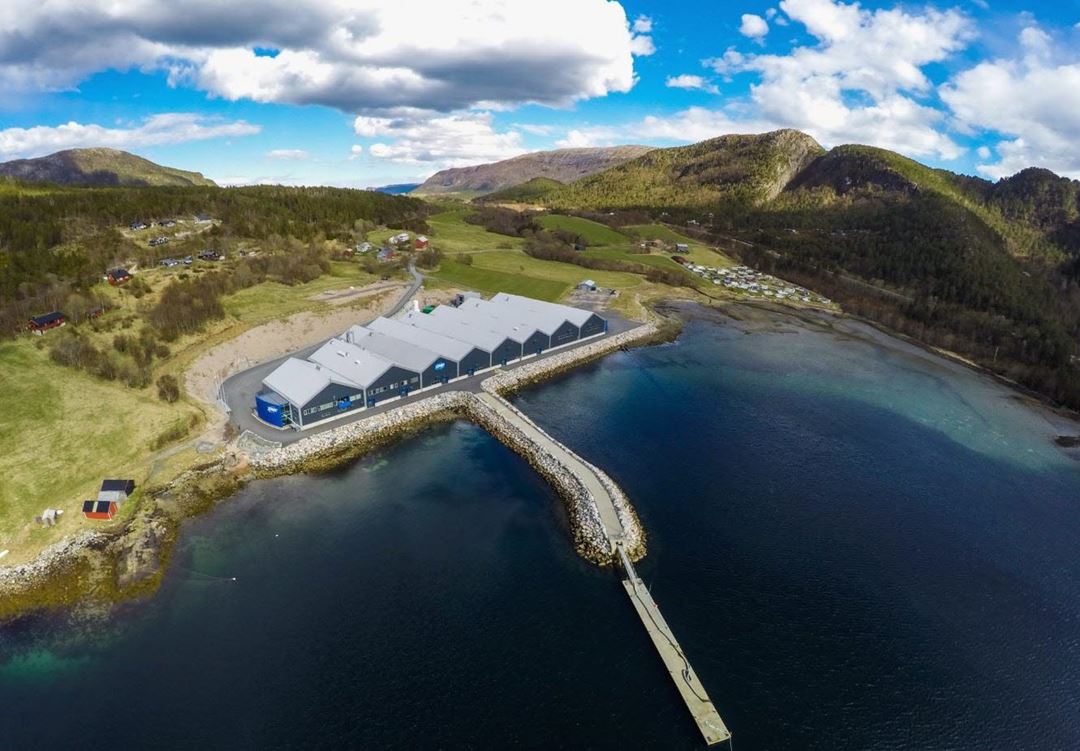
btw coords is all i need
(359, 93)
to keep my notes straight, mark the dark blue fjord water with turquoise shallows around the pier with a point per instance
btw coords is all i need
(860, 547)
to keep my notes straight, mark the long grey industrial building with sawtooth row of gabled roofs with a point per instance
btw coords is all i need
(393, 358)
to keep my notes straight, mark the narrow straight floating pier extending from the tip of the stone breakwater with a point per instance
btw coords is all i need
(679, 667)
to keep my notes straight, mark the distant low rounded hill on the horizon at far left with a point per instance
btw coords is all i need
(100, 167)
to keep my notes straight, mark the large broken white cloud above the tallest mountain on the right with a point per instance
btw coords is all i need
(863, 79)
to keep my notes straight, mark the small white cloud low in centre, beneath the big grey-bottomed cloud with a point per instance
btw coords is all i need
(441, 141)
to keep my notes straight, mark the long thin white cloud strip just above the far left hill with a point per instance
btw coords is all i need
(159, 130)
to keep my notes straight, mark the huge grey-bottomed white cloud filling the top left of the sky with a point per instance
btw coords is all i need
(356, 56)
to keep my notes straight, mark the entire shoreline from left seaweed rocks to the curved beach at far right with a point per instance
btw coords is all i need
(116, 566)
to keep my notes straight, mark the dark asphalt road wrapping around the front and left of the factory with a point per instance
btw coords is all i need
(240, 390)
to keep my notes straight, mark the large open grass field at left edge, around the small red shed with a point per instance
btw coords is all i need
(64, 433)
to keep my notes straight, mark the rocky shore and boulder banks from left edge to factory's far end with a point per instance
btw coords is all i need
(109, 567)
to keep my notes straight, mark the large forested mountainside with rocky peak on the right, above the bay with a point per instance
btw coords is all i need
(989, 270)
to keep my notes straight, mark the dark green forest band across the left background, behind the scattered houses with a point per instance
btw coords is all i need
(55, 240)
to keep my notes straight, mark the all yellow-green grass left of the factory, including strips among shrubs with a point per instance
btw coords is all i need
(65, 431)
